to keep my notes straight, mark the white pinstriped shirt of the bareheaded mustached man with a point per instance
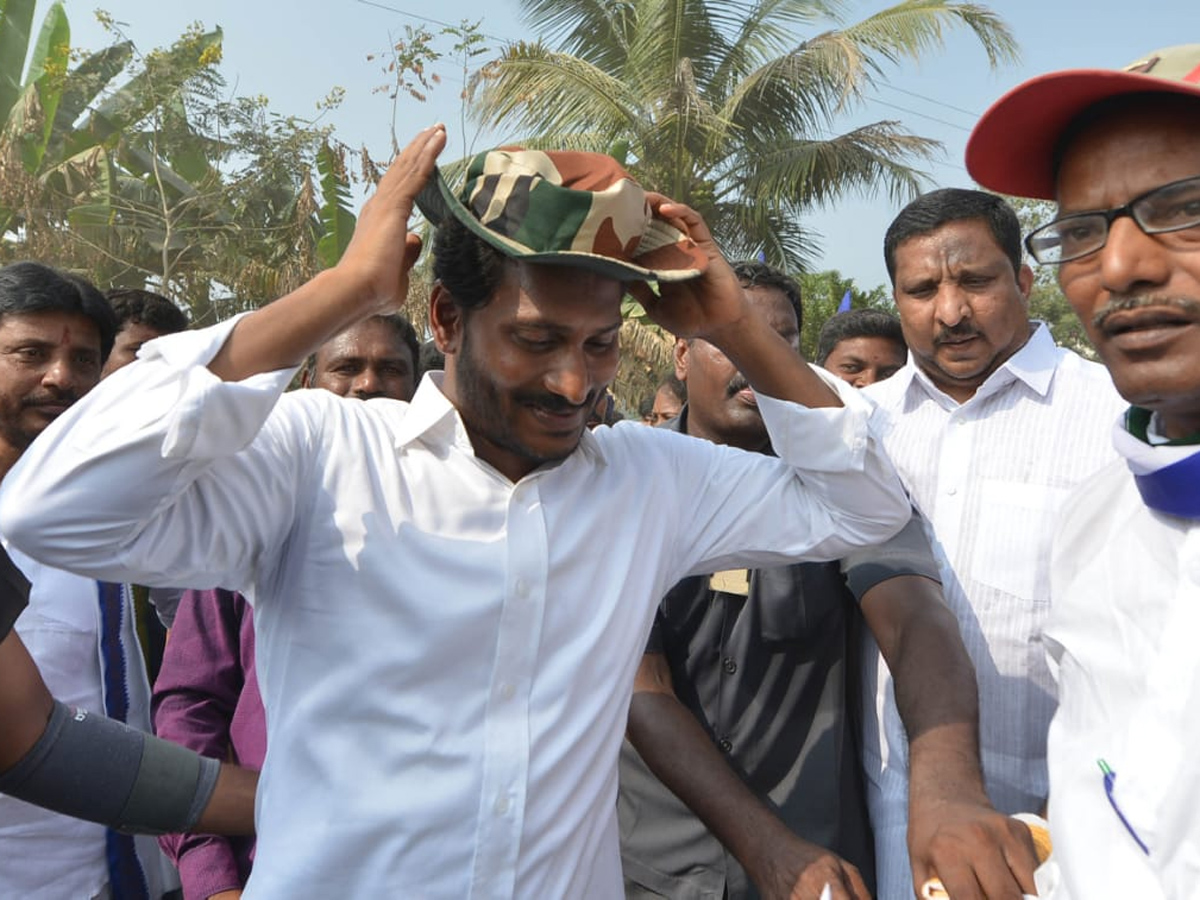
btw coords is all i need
(989, 476)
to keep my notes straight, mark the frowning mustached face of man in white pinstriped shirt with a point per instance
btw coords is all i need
(962, 305)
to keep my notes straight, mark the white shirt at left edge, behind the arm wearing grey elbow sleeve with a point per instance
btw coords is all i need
(46, 856)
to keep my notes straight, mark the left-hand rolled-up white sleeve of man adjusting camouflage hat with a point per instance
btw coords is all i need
(118, 487)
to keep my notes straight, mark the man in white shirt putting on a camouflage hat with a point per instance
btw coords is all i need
(446, 659)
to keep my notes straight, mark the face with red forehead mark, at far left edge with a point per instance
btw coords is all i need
(47, 362)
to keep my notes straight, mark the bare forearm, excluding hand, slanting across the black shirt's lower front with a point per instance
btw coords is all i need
(682, 755)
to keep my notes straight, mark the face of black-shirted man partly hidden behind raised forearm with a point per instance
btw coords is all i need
(722, 407)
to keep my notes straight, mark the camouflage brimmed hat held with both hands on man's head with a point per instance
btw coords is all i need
(565, 208)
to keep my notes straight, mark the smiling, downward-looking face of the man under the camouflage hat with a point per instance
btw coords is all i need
(526, 369)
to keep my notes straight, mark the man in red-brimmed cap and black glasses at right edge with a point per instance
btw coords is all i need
(1120, 153)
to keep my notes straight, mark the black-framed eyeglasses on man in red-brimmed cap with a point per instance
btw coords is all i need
(1169, 208)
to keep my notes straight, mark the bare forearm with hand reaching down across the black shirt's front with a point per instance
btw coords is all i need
(683, 757)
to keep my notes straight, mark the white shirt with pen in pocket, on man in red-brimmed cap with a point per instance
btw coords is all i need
(1123, 639)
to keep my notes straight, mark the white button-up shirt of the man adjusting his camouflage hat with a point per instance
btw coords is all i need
(446, 657)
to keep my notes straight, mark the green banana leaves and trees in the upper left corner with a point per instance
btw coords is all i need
(139, 170)
